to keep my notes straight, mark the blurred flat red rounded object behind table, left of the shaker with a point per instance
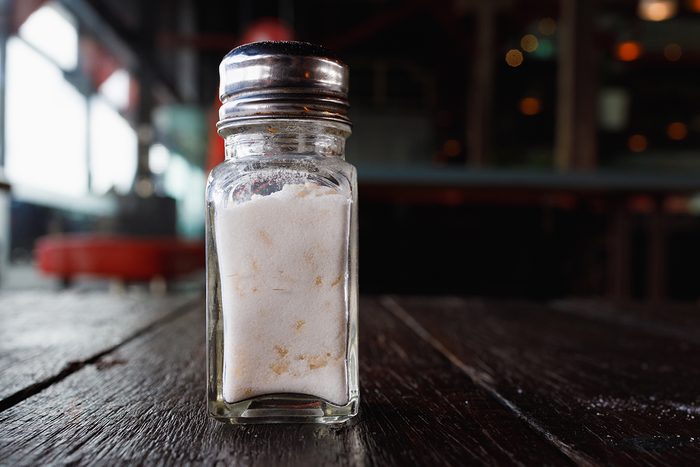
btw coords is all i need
(118, 257)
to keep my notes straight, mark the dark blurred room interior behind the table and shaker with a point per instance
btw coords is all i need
(505, 148)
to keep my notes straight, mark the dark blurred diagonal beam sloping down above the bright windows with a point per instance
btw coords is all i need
(123, 45)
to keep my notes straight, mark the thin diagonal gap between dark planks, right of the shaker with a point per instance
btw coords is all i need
(481, 379)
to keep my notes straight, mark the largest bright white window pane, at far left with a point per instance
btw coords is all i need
(45, 124)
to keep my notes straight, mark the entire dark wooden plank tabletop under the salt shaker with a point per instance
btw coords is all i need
(94, 378)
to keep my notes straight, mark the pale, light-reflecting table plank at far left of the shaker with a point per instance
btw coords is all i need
(45, 334)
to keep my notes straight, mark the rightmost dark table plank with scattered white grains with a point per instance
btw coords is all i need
(618, 393)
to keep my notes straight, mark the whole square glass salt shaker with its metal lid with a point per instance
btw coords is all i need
(282, 241)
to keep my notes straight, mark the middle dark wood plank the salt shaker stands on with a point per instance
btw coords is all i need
(145, 403)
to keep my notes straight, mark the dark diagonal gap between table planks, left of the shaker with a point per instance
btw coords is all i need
(74, 366)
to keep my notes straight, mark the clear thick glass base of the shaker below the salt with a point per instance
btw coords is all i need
(283, 408)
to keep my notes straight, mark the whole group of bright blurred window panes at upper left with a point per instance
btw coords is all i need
(58, 140)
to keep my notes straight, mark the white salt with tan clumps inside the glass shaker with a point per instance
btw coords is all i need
(283, 265)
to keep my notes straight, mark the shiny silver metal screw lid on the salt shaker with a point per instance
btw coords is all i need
(264, 80)
